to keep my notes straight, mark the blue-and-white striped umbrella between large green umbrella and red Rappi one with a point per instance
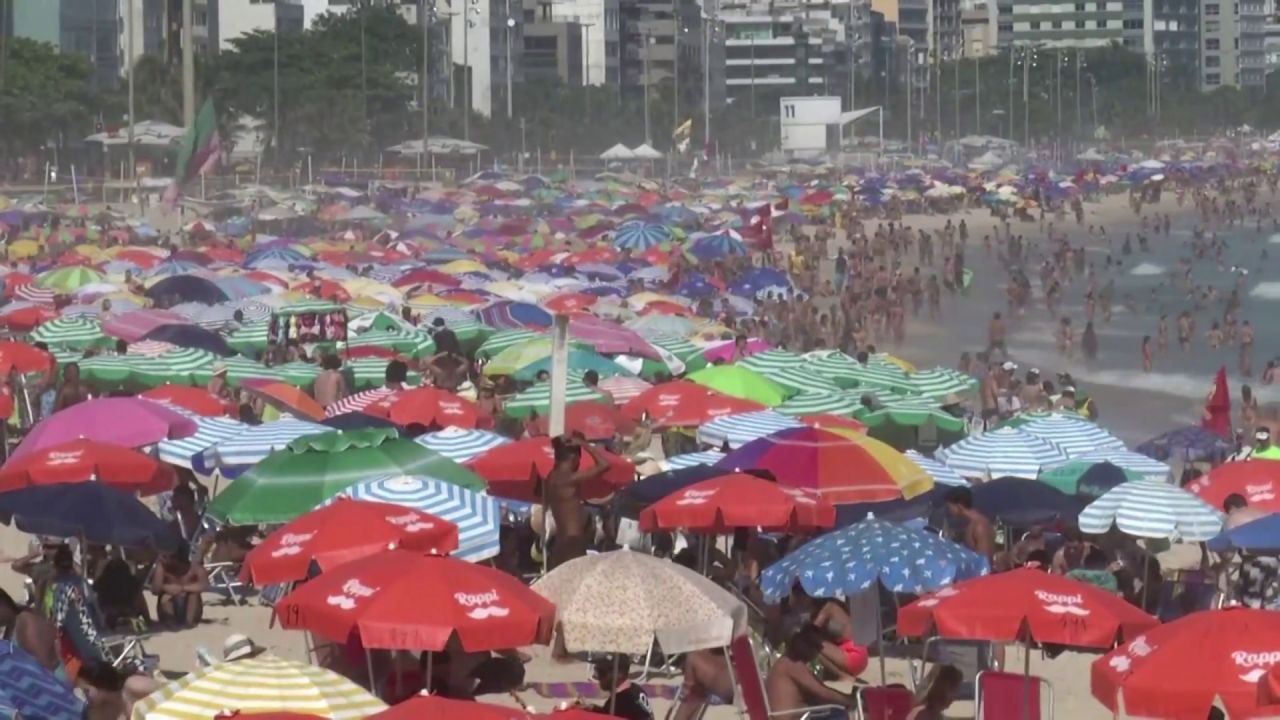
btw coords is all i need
(476, 514)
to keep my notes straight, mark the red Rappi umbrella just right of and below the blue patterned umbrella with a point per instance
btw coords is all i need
(1055, 609)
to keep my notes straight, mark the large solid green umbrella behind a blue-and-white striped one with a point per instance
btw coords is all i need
(314, 468)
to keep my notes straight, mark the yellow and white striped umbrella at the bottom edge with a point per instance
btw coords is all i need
(259, 685)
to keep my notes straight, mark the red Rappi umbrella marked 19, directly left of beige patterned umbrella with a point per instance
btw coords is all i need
(401, 600)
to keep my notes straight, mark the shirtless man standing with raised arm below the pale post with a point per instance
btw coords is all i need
(564, 495)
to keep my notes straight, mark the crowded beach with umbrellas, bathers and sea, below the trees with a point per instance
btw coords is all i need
(803, 443)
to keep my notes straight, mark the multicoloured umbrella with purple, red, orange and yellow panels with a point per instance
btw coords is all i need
(842, 467)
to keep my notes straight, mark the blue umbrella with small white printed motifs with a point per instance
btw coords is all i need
(849, 560)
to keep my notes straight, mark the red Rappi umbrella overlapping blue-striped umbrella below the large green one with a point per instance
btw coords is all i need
(342, 532)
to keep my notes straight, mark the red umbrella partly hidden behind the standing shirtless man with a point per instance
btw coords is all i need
(513, 471)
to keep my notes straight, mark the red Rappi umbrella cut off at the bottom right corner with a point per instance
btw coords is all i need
(1182, 669)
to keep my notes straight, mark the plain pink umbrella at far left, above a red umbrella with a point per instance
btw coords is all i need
(127, 422)
